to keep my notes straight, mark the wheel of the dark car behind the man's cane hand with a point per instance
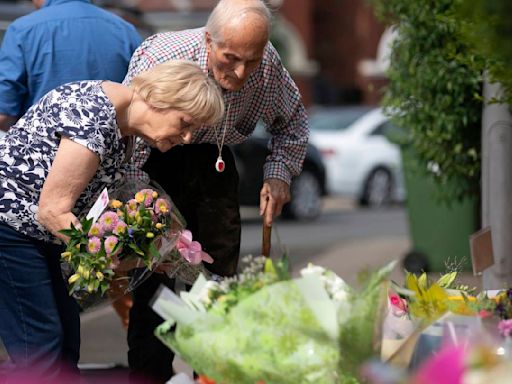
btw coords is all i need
(306, 199)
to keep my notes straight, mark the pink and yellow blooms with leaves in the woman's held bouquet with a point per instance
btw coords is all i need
(126, 236)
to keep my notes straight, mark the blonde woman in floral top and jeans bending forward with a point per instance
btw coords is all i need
(53, 162)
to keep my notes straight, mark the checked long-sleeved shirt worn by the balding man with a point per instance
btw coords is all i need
(269, 94)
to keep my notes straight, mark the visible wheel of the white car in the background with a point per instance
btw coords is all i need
(377, 189)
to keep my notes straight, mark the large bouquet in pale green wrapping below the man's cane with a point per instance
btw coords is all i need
(263, 326)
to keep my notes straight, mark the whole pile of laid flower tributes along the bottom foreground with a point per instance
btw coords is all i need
(265, 327)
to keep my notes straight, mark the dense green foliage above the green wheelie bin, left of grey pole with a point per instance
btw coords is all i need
(434, 92)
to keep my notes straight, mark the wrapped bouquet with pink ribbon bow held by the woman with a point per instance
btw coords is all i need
(129, 241)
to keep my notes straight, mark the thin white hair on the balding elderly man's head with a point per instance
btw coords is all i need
(228, 11)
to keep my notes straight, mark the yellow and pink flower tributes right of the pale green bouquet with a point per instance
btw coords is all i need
(448, 332)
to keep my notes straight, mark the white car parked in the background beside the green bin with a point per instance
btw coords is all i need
(361, 163)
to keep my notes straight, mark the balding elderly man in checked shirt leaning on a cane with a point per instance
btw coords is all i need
(202, 179)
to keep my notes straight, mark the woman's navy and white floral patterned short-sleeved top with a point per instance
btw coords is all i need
(80, 111)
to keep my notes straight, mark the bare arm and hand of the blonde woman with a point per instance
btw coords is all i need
(72, 169)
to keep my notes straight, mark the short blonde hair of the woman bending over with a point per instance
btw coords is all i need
(181, 85)
